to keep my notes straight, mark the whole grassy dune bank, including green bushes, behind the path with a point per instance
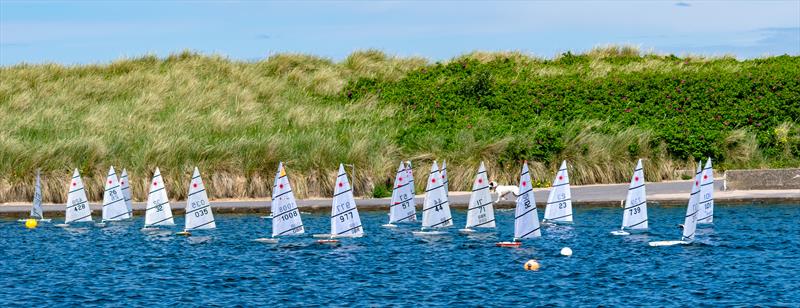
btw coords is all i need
(236, 120)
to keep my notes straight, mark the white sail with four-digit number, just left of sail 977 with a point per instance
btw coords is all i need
(285, 215)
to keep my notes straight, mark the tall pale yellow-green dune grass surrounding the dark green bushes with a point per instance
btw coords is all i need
(236, 120)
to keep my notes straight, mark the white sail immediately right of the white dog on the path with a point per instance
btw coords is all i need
(526, 217)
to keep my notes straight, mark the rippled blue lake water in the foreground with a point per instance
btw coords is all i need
(749, 256)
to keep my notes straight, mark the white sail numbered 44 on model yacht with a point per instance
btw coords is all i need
(436, 207)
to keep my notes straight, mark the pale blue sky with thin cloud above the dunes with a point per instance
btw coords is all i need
(97, 32)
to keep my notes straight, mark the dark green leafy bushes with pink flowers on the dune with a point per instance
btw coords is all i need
(690, 104)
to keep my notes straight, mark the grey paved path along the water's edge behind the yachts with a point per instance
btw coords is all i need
(662, 193)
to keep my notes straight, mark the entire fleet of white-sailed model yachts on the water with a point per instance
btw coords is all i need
(345, 219)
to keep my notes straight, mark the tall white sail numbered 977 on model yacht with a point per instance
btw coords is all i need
(345, 221)
